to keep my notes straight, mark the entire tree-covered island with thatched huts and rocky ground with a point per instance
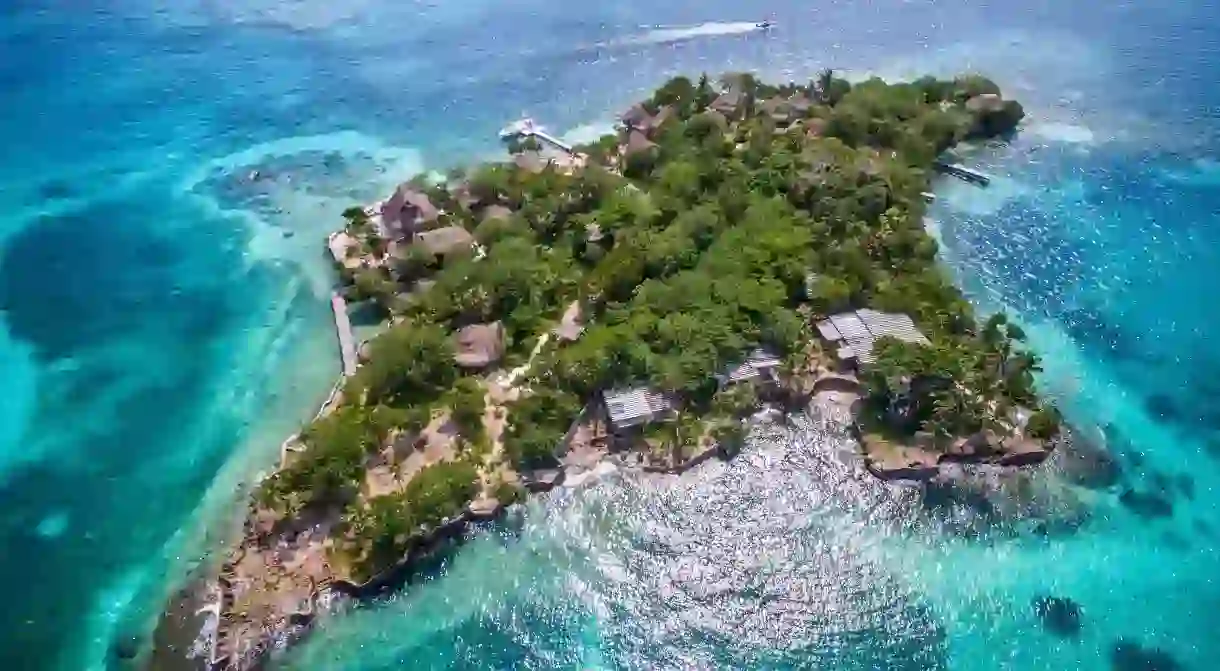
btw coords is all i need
(735, 243)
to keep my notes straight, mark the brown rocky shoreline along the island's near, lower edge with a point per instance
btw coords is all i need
(185, 624)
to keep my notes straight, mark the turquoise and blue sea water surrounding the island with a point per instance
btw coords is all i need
(164, 325)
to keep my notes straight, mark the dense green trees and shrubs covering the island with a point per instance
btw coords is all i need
(720, 232)
